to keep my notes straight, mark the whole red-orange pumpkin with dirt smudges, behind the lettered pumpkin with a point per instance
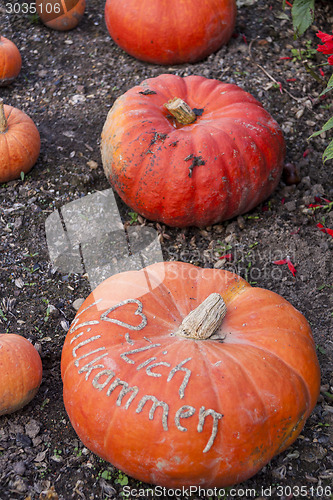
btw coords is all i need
(191, 151)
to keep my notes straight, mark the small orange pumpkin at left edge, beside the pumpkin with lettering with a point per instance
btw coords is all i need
(21, 372)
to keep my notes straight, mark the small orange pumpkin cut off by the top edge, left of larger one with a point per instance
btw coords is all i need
(61, 15)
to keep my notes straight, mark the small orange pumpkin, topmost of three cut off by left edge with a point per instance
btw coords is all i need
(10, 61)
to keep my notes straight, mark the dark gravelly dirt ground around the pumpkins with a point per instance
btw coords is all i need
(67, 84)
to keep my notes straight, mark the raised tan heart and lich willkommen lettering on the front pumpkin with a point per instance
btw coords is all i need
(107, 379)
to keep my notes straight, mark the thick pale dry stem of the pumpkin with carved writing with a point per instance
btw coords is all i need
(204, 320)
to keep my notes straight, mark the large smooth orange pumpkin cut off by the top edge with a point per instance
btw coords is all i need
(169, 31)
